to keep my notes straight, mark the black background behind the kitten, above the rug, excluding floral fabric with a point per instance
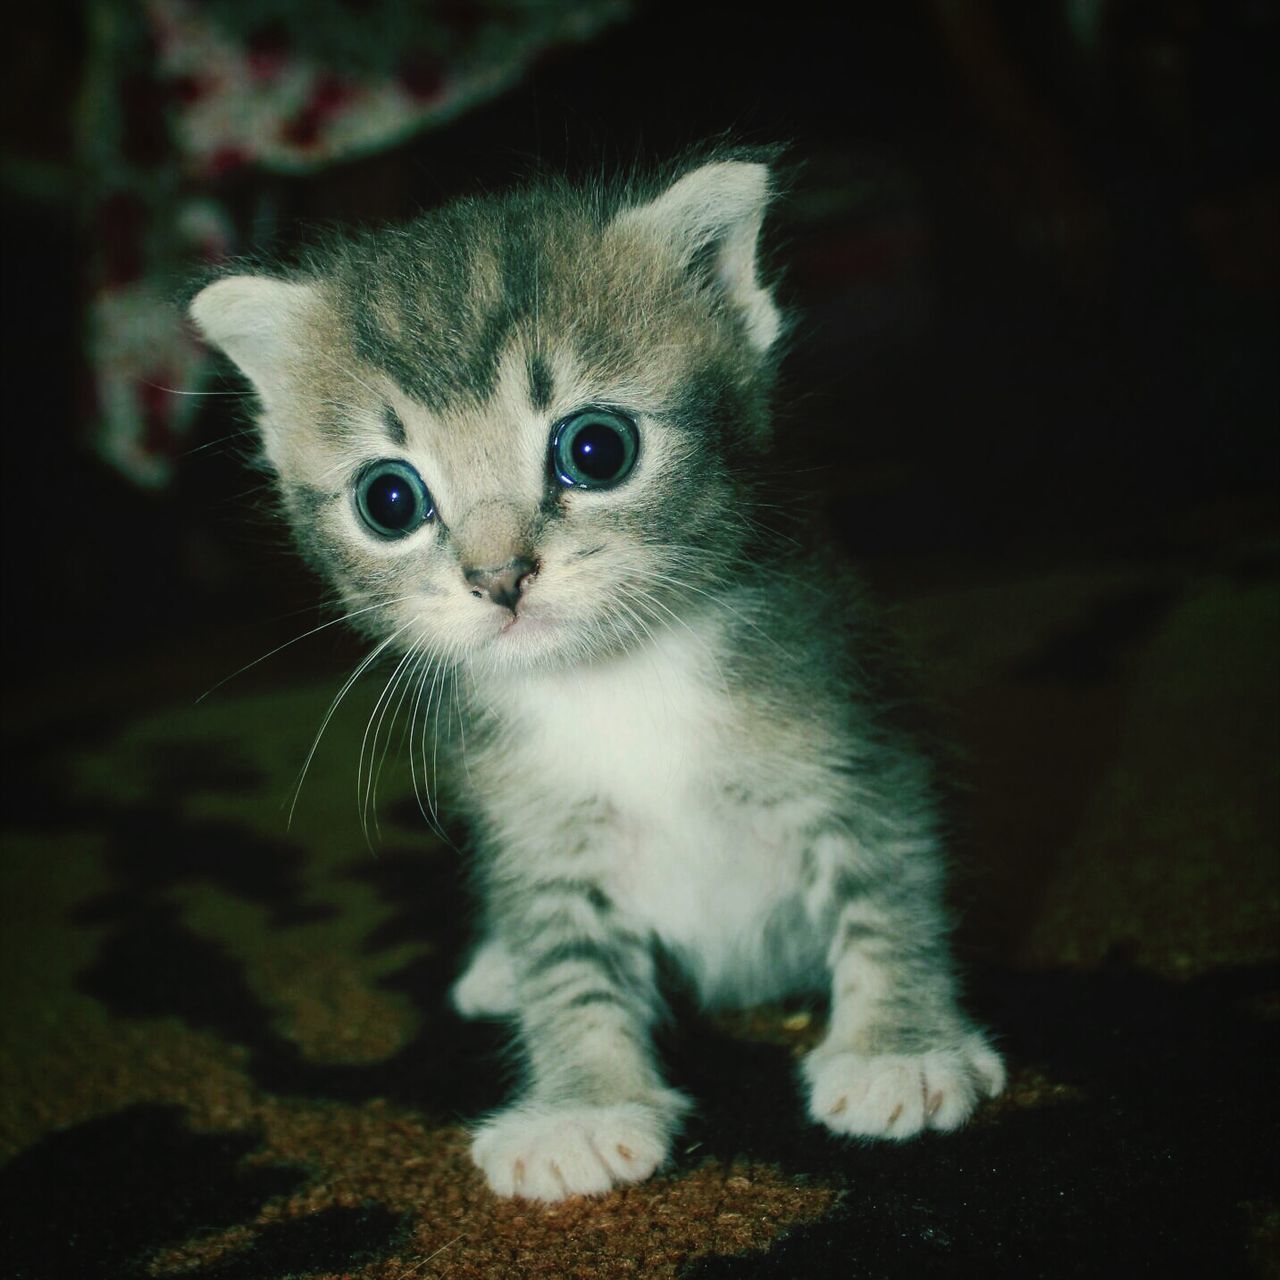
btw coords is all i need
(1036, 291)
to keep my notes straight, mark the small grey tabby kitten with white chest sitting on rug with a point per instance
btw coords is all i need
(528, 440)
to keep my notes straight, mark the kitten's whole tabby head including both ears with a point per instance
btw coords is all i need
(520, 431)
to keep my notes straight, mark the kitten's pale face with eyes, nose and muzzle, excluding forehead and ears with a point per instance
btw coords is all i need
(591, 568)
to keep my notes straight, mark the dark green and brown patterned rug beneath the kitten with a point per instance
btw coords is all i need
(228, 1052)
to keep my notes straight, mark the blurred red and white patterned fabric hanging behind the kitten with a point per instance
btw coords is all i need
(182, 99)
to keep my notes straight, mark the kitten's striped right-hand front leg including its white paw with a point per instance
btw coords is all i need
(899, 1057)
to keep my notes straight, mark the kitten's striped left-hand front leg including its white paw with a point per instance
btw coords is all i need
(596, 1112)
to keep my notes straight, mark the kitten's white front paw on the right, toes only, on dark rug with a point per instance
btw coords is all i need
(897, 1096)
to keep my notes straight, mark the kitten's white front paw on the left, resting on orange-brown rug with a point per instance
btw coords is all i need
(548, 1153)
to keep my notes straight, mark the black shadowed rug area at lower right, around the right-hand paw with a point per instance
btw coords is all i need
(1144, 1172)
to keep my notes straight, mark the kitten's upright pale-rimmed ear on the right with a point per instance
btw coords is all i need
(716, 213)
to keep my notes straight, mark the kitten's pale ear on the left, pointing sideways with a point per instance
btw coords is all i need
(258, 322)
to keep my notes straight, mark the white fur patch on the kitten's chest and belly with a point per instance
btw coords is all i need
(689, 853)
